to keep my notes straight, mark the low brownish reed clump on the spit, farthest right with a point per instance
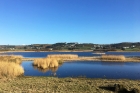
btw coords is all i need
(113, 57)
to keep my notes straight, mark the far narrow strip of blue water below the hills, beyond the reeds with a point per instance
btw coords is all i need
(44, 54)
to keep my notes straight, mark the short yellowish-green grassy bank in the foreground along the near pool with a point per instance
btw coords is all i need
(64, 85)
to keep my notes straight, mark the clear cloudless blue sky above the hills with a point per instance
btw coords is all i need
(83, 21)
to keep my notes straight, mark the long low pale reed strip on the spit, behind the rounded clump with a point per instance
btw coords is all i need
(63, 56)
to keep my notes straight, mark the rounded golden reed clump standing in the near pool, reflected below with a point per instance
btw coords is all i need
(45, 63)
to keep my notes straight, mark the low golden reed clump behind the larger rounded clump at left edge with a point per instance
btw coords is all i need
(11, 58)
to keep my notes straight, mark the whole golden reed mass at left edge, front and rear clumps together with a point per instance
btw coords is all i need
(10, 66)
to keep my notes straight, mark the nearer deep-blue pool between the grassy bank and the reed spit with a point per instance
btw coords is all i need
(88, 69)
